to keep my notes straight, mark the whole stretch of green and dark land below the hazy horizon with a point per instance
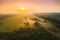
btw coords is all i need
(44, 26)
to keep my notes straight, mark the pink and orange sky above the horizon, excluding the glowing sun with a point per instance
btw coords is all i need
(12, 6)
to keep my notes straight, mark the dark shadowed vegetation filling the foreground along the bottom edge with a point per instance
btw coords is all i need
(37, 33)
